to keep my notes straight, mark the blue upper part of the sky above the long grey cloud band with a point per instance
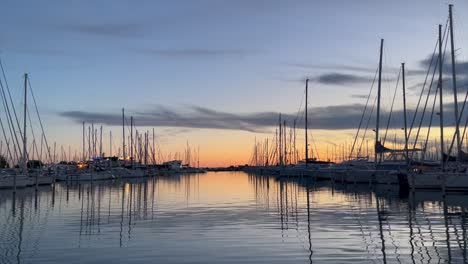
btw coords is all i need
(228, 56)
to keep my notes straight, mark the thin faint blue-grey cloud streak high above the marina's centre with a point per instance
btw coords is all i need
(182, 53)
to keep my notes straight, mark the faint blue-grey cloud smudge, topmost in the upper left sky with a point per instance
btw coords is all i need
(107, 29)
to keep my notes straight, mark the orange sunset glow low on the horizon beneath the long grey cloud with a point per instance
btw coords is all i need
(223, 148)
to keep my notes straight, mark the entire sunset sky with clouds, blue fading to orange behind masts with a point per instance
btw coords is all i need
(216, 73)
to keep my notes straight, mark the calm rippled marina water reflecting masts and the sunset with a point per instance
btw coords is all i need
(230, 217)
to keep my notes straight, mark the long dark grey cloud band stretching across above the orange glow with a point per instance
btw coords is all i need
(329, 117)
